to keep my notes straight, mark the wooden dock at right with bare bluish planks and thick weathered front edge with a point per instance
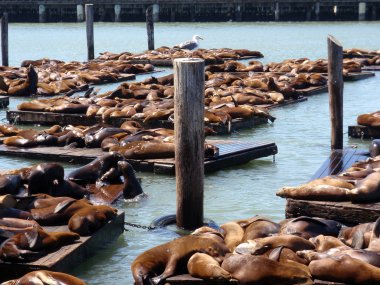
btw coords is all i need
(344, 212)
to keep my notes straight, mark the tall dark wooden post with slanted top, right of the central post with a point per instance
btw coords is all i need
(335, 84)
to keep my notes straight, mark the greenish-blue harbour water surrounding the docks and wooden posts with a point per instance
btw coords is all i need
(301, 132)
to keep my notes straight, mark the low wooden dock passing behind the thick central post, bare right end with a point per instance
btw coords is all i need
(230, 153)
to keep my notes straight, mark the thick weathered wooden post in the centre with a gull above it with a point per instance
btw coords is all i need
(189, 140)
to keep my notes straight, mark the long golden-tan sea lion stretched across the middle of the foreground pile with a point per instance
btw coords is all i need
(262, 245)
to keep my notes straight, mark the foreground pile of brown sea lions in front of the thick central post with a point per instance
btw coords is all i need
(260, 251)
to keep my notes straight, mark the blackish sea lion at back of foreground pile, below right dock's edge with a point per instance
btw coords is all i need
(308, 227)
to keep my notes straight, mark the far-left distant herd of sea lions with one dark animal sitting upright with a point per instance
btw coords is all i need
(46, 77)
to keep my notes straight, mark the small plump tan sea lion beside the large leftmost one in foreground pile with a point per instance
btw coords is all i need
(204, 266)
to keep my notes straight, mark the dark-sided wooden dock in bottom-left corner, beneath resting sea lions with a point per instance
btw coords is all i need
(69, 256)
